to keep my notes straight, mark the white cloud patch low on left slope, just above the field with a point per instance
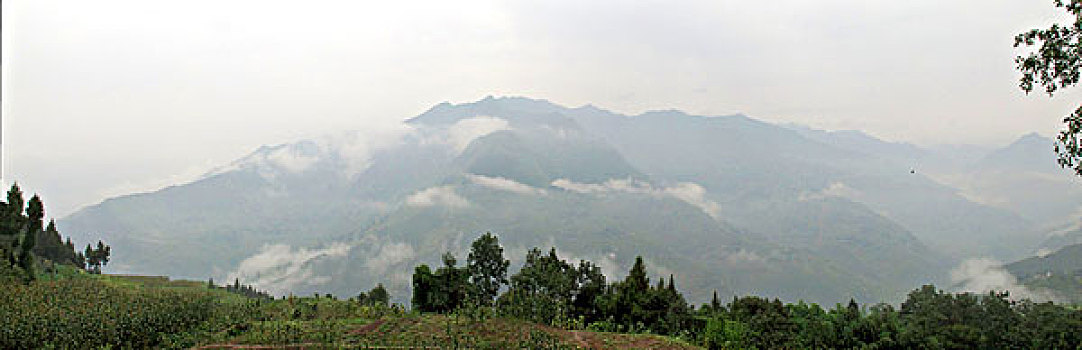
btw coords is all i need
(280, 268)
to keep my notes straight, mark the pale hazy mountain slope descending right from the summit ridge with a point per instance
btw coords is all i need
(751, 167)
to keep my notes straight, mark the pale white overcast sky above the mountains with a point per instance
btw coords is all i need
(107, 98)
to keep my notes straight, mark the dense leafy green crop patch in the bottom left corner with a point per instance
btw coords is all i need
(75, 310)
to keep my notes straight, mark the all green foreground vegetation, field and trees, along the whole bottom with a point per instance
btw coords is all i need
(55, 297)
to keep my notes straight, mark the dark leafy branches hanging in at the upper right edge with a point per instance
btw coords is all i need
(1058, 64)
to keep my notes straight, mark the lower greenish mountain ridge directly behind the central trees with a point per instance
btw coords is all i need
(611, 230)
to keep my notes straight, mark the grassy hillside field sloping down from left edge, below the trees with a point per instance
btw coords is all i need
(70, 309)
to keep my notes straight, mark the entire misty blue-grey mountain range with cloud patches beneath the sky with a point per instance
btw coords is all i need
(724, 203)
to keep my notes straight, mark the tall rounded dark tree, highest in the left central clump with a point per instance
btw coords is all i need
(487, 268)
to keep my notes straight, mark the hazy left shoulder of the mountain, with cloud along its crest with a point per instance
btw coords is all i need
(294, 195)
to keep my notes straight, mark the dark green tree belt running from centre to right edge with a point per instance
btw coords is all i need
(553, 292)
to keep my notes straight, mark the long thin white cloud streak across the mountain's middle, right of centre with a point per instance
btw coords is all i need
(691, 193)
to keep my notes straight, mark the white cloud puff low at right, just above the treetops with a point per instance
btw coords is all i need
(983, 276)
